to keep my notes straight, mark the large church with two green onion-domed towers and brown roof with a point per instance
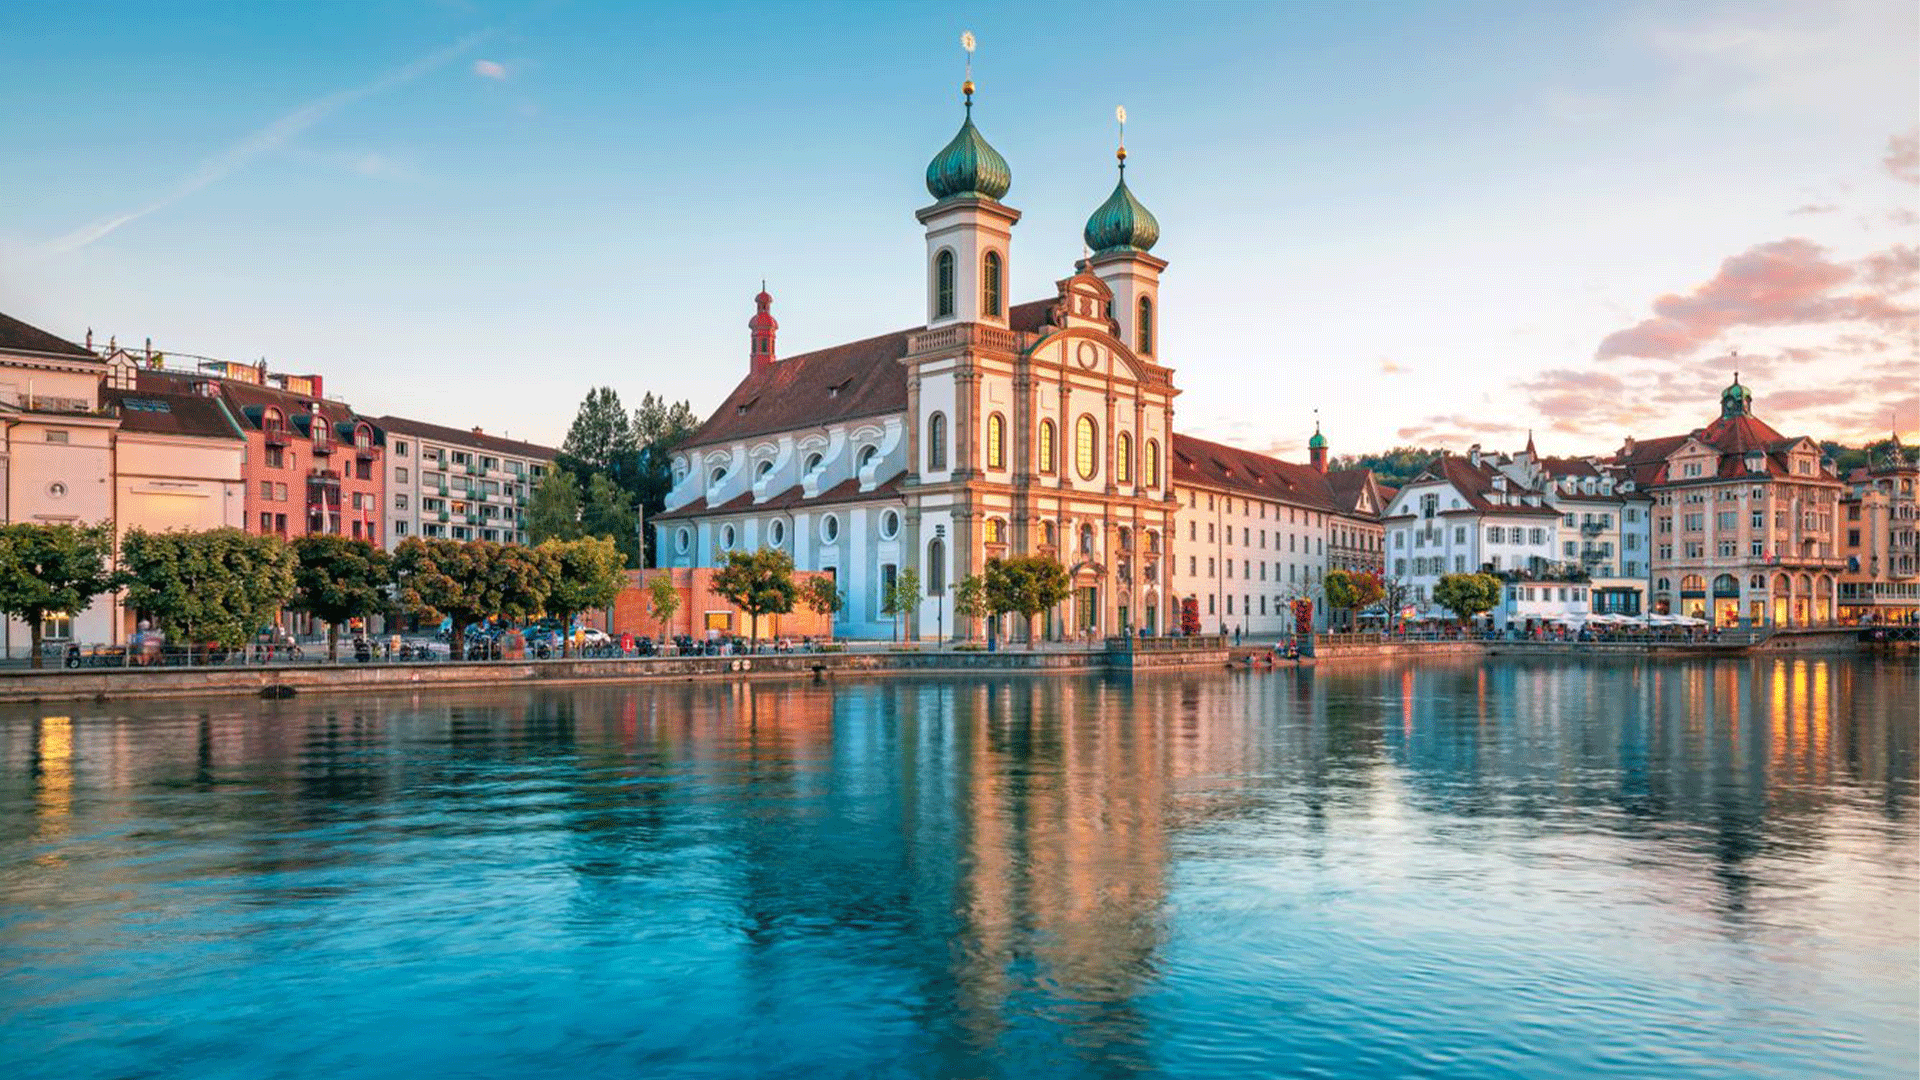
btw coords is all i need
(988, 430)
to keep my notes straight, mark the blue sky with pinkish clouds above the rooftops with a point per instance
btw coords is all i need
(1431, 222)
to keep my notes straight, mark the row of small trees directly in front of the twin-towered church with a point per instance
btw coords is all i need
(761, 583)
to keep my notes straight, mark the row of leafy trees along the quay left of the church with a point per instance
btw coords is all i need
(222, 585)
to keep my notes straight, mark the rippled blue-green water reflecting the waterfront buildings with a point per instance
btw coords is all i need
(1520, 870)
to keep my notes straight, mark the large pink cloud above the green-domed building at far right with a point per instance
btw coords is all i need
(1785, 283)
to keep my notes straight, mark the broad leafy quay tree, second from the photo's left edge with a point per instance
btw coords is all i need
(218, 587)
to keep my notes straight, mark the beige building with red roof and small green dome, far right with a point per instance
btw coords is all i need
(1744, 522)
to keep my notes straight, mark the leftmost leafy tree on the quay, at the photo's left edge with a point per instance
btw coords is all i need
(53, 570)
